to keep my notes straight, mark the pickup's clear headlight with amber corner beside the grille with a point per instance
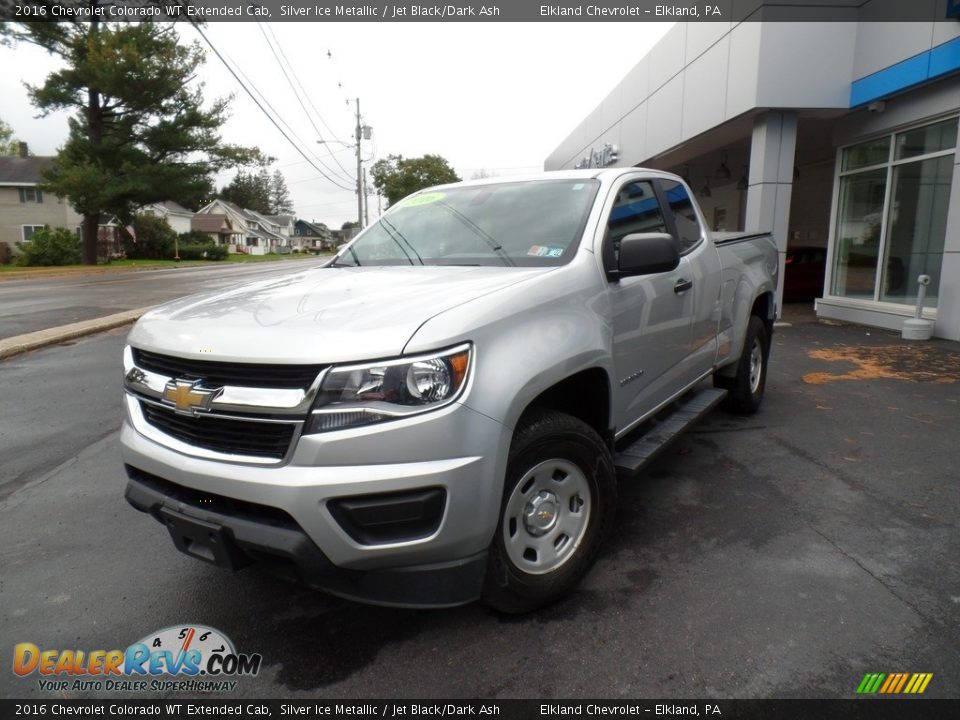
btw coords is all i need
(353, 395)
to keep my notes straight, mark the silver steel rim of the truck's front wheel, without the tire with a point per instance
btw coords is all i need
(536, 543)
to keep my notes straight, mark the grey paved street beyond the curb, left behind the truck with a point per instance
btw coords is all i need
(41, 303)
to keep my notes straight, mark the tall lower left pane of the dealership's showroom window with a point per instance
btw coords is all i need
(859, 218)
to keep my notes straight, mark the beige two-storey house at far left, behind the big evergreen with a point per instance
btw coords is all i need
(24, 207)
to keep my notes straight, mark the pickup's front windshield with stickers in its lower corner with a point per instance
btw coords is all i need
(524, 224)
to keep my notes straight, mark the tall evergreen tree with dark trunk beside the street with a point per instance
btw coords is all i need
(140, 133)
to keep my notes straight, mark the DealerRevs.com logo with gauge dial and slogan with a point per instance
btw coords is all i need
(189, 658)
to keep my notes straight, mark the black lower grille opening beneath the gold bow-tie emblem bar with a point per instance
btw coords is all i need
(235, 437)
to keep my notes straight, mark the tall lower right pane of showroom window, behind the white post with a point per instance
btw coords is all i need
(916, 228)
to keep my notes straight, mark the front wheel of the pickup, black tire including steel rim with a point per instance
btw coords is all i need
(574, 466)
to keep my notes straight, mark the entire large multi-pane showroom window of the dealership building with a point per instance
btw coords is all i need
(893, 197)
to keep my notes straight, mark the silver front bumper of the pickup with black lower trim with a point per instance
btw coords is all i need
(455, 449)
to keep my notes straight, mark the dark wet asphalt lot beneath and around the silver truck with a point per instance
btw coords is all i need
(784, 554)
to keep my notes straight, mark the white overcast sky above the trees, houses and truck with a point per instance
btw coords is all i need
(497, 97)
